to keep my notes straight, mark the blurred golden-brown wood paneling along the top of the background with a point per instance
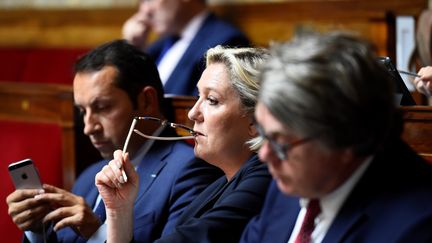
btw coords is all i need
(263, 21)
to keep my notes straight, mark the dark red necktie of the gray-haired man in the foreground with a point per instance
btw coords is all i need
(312, 211)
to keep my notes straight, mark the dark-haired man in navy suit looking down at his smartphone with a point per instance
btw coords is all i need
(113, 84)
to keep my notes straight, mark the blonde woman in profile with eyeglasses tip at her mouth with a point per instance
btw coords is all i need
(226, 137)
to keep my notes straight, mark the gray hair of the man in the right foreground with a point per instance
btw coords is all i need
(332, 87)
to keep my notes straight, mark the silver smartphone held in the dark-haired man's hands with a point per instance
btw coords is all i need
(24, 175)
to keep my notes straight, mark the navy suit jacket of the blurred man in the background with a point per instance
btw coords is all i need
(186, 74)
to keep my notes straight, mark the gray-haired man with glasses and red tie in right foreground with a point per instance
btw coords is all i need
(341, 174)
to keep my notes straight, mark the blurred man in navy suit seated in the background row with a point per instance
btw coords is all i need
(187, 30)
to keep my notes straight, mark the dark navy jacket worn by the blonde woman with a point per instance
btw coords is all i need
(220, 213)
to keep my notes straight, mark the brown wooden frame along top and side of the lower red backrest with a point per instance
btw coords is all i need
(43, 103)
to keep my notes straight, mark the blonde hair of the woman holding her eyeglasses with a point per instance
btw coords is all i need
(243, 65)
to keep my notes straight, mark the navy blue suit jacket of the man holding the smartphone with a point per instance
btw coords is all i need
(170, 178)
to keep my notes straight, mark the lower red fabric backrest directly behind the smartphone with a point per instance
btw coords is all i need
(42, 143)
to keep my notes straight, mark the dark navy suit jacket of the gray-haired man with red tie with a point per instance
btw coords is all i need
(392, 202)
